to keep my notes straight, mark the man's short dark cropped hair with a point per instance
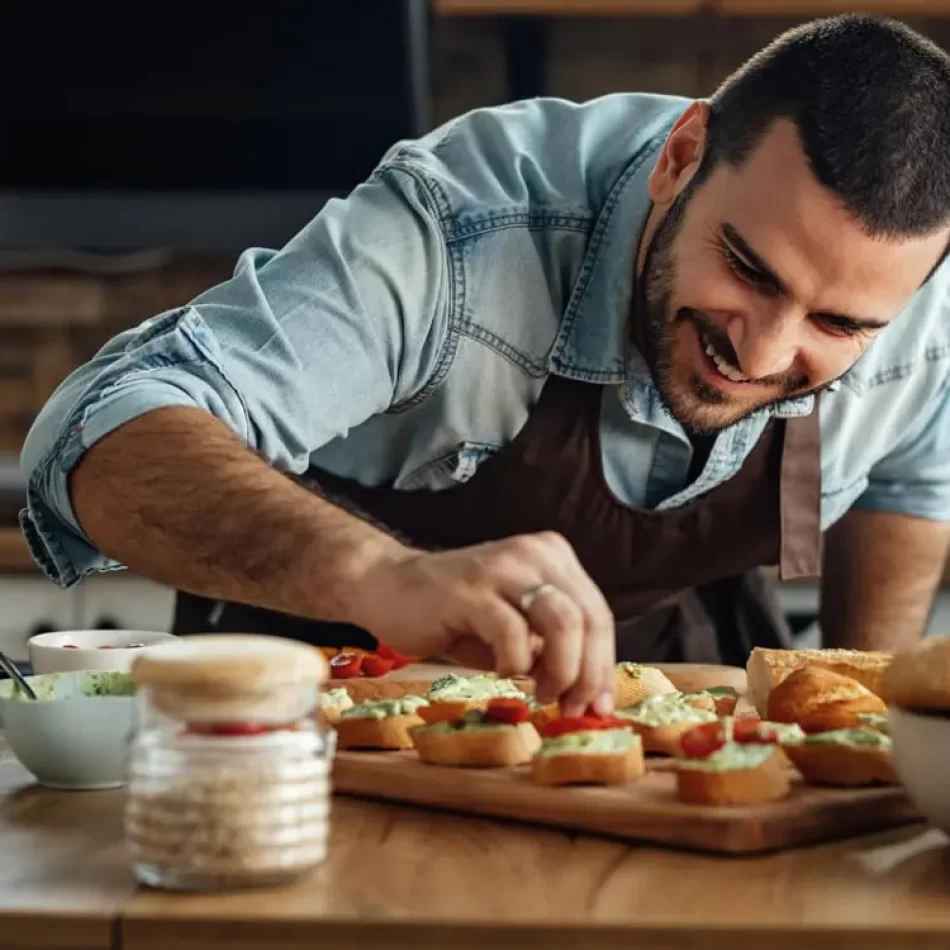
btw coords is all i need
(871, 101)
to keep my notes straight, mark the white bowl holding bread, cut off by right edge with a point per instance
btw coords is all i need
(922, 760)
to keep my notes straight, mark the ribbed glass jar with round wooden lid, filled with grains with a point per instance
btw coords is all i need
(229, 764)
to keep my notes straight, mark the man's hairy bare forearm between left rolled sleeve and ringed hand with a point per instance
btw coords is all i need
(176, 497)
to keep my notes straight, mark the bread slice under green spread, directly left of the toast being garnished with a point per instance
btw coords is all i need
(497, 746)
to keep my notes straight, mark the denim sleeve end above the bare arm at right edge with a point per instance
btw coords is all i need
(914, 477)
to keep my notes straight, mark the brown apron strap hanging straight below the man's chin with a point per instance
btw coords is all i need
(800, 497)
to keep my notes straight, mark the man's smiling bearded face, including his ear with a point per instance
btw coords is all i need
(758, 285)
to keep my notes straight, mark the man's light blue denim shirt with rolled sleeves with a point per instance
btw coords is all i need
(404, 335)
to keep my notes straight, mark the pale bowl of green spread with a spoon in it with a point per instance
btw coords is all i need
(68, 739)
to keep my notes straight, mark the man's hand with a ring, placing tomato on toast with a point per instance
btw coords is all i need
(464, 603)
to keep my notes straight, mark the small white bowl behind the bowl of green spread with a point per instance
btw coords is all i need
(68, 650)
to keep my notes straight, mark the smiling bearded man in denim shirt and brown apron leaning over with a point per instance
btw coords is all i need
(555, 382)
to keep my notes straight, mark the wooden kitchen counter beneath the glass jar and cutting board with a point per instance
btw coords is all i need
(403, 877)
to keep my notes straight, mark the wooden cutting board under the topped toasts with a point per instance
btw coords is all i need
(644, 811)
